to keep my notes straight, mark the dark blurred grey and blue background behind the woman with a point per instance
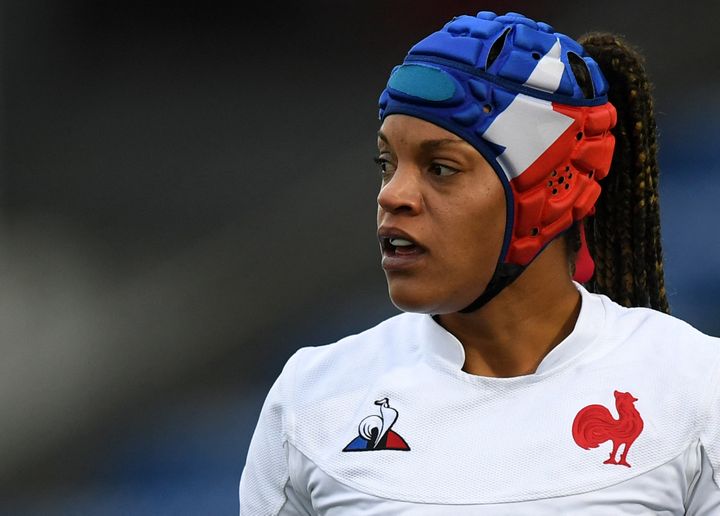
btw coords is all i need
(187, 196)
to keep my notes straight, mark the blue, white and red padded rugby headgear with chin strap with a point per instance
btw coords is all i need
(509, 86)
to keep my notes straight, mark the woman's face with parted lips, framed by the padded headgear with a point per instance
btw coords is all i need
(441, 216)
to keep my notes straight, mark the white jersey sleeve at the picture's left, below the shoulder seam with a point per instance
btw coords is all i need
(265, 486)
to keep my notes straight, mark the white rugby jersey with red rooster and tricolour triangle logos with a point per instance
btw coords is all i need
(622, 417)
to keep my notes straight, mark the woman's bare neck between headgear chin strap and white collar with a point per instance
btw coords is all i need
(512, 333)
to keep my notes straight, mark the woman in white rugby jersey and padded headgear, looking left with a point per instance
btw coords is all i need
(507, 387)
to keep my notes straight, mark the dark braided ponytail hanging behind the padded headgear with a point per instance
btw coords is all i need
(624, 235)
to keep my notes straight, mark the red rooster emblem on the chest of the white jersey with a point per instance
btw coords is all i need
(594, 425)
